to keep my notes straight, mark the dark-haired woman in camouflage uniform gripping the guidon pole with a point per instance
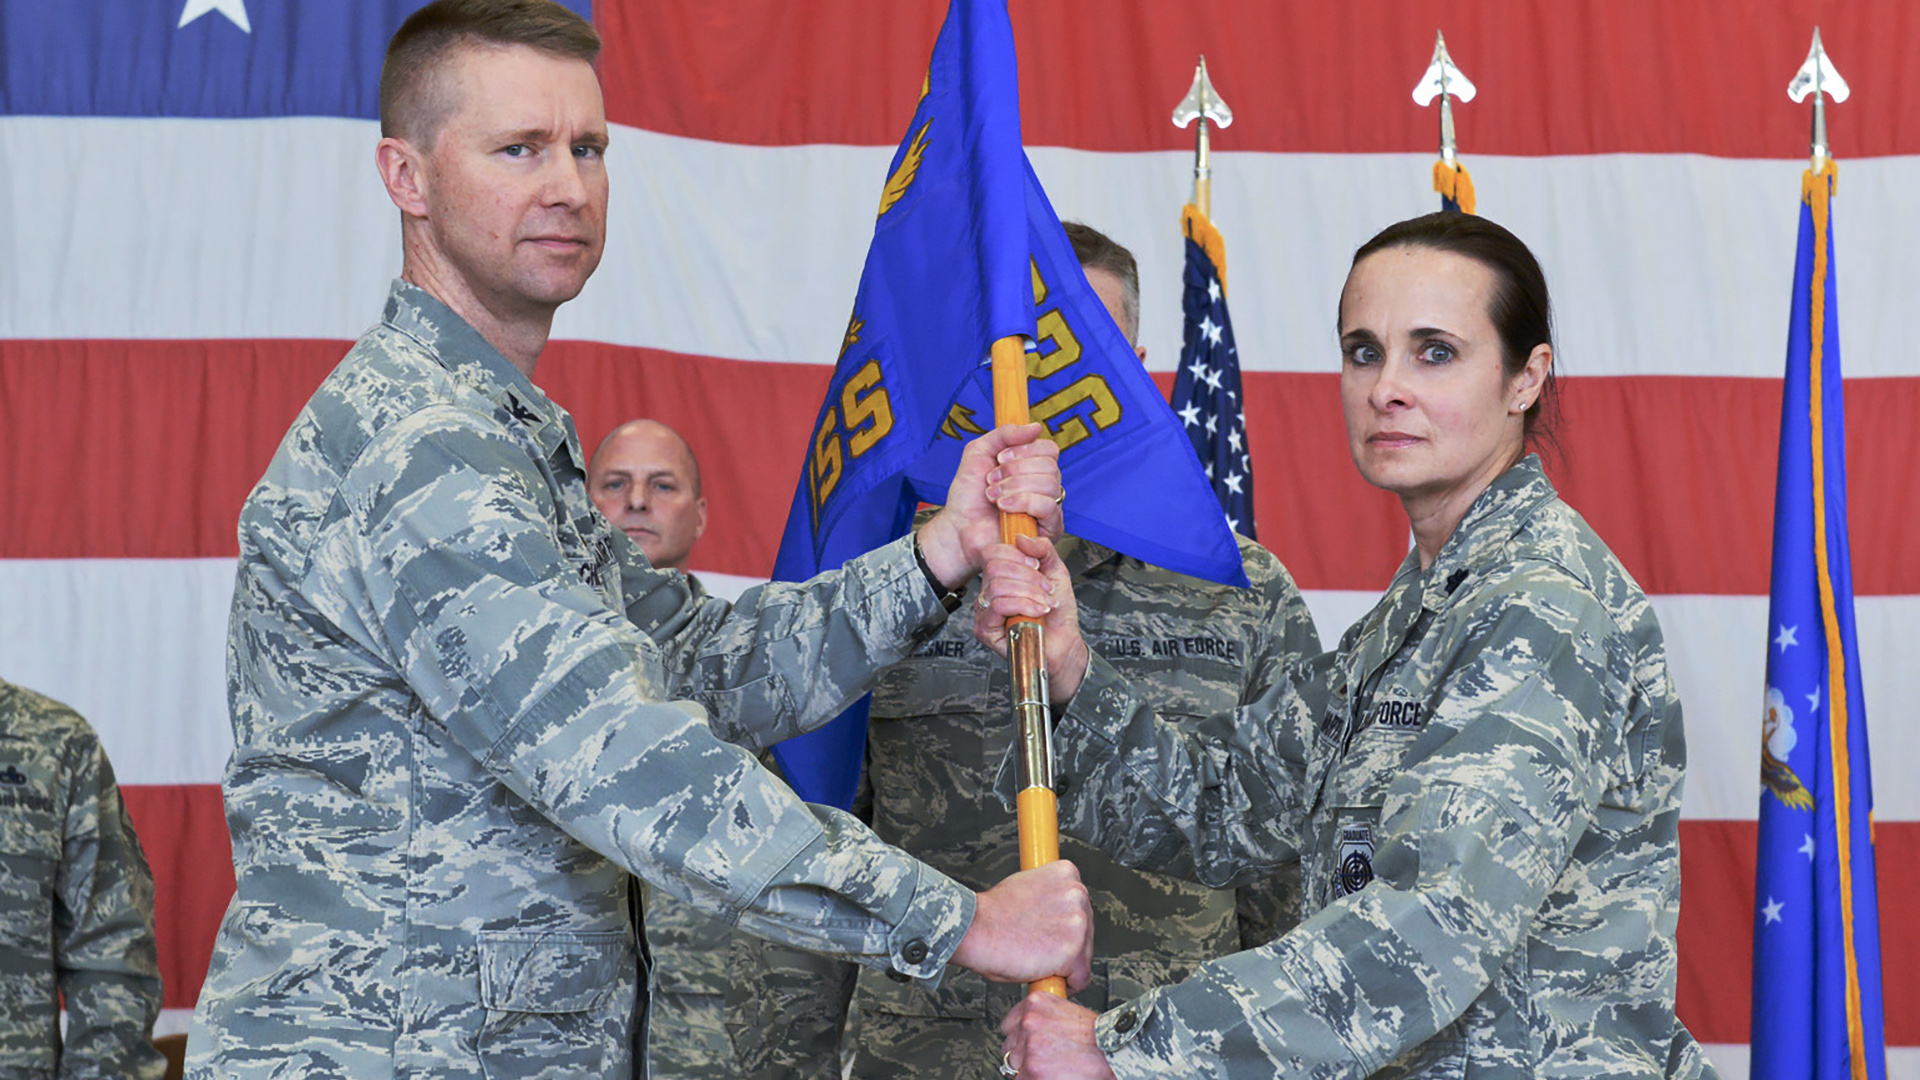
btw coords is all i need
(1483, 781)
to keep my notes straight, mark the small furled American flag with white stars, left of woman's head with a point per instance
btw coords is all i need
(1207, 391)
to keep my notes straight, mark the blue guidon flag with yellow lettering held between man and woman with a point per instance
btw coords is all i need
(967, 251)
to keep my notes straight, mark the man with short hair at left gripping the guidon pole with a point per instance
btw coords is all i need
(466, 708)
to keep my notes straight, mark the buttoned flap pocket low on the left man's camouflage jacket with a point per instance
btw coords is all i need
(558, 1004)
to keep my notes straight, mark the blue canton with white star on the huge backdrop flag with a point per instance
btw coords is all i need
(199, 59)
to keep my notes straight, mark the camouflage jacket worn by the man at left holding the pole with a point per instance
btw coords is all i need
(466, 708)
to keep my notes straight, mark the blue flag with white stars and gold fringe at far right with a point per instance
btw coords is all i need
(1817, 1002)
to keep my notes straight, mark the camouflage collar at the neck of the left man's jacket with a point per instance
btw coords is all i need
(469, 358)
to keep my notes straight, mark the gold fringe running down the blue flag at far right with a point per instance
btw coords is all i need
(1817, 187)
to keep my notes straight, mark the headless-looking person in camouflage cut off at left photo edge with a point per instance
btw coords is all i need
(76, 904)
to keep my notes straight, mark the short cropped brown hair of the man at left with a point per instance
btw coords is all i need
(412, 101)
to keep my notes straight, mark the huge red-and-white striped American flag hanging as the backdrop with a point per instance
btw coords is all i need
(193, 233)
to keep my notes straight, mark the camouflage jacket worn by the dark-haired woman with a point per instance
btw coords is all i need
(1485, 787)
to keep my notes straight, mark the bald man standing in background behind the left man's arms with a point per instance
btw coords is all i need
(648, 483)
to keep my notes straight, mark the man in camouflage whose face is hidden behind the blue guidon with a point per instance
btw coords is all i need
(938, 729)
